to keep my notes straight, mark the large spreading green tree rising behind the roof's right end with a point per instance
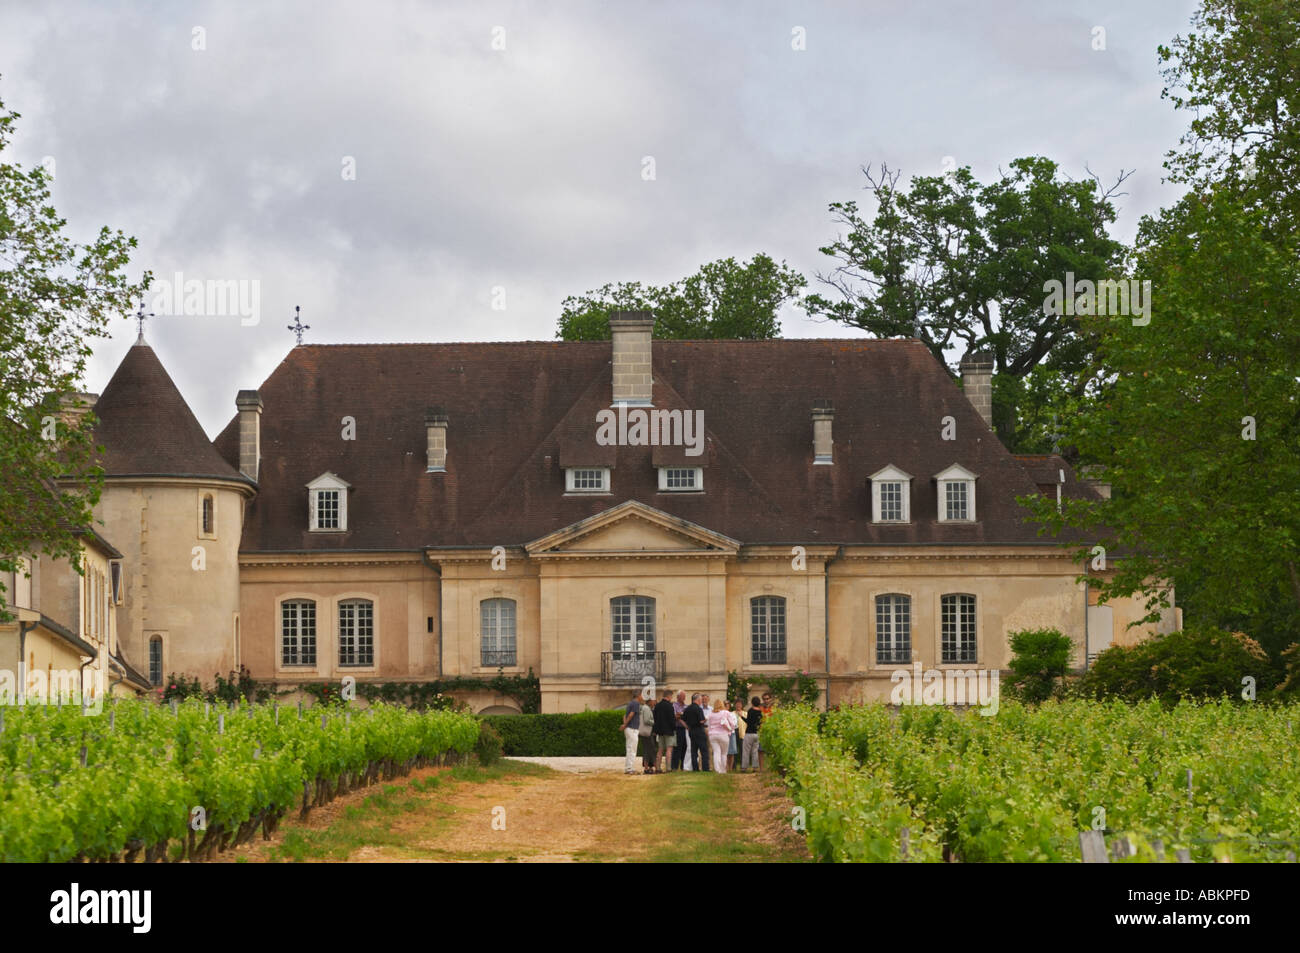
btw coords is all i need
(961, 265)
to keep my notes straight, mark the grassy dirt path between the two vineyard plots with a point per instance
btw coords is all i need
(532, 813)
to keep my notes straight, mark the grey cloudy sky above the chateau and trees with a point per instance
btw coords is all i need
(400, 168)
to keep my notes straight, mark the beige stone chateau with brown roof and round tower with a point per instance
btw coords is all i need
(597, 513)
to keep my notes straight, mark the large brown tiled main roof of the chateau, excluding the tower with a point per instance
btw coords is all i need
(521, 411)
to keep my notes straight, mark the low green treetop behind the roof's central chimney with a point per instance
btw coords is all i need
(723, 300)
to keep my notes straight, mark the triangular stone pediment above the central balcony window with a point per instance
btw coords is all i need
(632, 530)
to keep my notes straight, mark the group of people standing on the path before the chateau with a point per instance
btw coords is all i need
(692, 737)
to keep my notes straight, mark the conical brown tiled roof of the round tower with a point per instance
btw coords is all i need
(148, 428)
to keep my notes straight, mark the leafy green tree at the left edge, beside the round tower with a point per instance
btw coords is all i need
(57, 297)
